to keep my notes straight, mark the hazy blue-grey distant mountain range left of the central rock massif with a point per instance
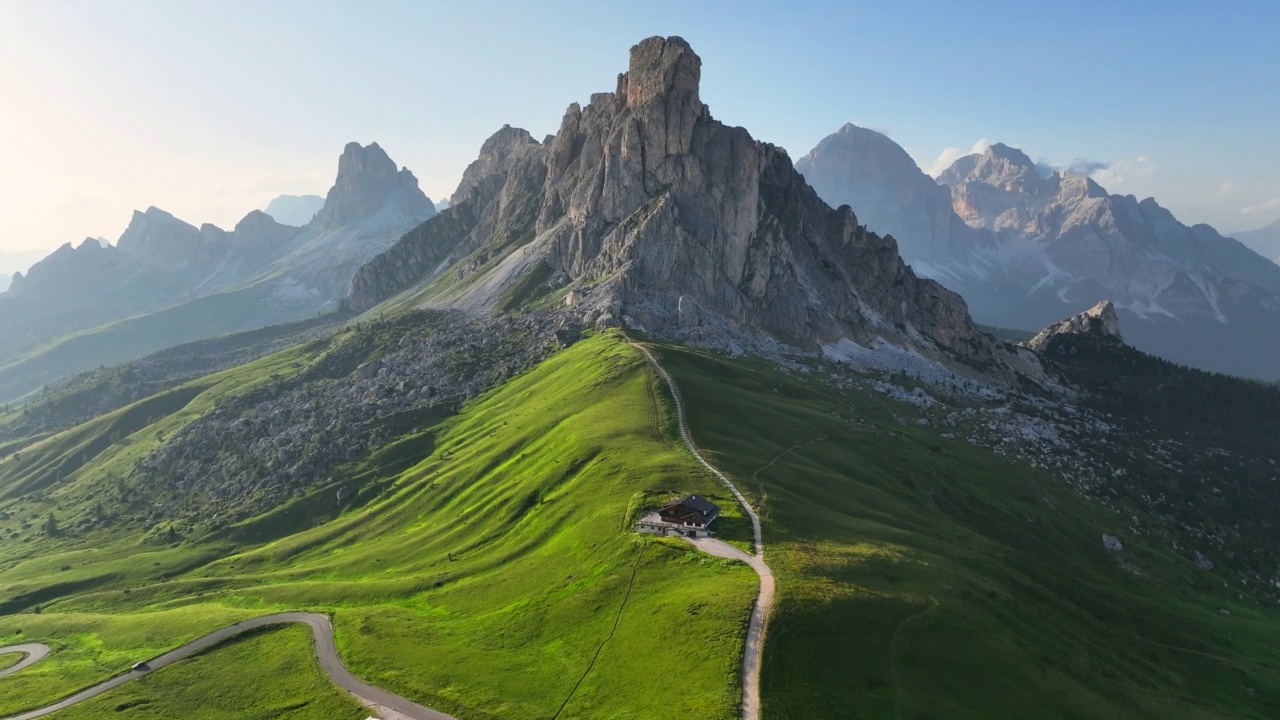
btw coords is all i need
(167, 282)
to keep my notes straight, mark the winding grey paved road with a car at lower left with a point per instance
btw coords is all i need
(327, 654)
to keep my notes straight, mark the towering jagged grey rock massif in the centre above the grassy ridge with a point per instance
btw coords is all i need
(644, 211)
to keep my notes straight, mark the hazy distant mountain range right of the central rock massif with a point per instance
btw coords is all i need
(1026, 248)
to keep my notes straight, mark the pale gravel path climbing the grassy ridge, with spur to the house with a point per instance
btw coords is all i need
(755, 649)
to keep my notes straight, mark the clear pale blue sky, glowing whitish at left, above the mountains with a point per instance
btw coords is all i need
(209, 110)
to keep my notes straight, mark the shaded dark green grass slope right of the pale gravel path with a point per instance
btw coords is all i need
(922, 578)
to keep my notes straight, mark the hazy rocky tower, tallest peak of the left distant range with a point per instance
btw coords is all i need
(368, 181)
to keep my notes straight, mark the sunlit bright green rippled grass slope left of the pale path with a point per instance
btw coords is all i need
(499, 577)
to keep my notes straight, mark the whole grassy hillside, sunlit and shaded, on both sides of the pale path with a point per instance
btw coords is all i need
(490, 568)
